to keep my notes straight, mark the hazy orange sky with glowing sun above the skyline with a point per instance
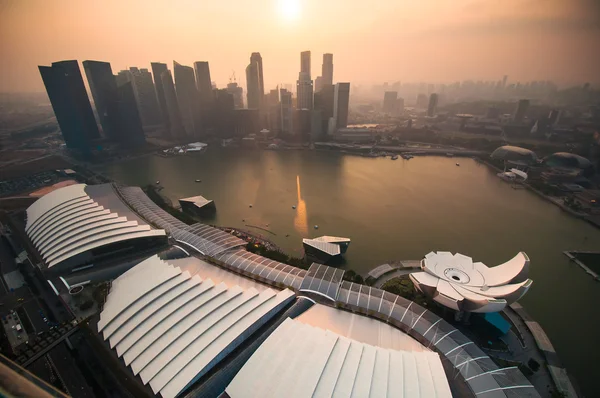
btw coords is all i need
(372, 40)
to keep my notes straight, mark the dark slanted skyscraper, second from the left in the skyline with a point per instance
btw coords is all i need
(103, 86)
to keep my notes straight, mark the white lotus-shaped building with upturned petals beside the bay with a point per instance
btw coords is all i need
(456, 282)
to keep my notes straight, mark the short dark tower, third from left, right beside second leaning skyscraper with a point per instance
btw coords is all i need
(130, 124)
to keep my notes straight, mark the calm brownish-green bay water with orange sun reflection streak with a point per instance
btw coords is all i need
(399, 210)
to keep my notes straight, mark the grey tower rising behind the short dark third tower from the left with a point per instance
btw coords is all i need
(145, 95)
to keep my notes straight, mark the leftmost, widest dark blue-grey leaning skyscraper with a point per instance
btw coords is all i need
(71, 105)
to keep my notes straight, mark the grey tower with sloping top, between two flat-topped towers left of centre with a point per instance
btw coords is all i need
(187, 96)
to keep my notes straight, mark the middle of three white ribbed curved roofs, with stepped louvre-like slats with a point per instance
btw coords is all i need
(171, 328)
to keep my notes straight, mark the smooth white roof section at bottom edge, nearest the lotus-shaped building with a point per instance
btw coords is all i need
(298, 360)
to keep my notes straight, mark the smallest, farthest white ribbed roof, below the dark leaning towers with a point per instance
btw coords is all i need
(78, 218)
